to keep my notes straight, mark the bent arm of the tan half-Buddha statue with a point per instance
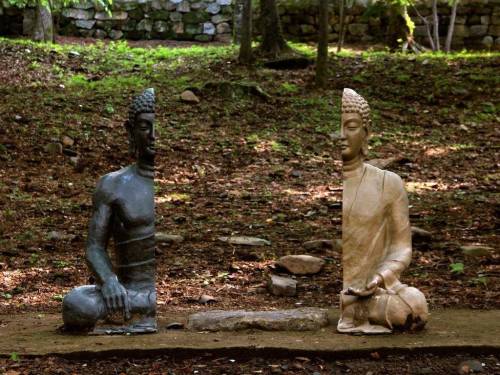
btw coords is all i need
(399, 253)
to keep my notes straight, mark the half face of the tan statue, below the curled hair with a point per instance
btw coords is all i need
(353, 135)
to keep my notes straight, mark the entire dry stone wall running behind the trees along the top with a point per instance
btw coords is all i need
(477, 24)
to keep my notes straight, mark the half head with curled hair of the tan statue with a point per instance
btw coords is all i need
(355, 127)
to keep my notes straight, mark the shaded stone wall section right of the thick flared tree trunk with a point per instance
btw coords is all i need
(477, 24)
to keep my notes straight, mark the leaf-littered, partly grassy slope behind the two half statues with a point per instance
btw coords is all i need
(241, 163)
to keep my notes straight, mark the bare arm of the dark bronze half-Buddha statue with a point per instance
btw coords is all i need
(99, 232)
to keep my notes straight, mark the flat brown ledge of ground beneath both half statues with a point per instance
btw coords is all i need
(448, 330)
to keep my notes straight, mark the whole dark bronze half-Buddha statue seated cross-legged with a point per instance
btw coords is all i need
(124, 297)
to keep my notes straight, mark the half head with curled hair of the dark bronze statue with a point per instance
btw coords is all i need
(140, 126)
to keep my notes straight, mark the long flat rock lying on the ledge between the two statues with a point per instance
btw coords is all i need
(303, 319)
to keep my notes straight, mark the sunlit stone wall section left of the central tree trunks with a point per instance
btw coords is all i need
(200, 20)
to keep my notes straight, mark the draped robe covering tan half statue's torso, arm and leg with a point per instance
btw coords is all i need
(376, 240)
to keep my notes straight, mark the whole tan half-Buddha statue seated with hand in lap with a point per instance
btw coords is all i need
(376, 236)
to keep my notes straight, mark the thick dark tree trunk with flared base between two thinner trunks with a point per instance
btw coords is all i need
(273, 42)
